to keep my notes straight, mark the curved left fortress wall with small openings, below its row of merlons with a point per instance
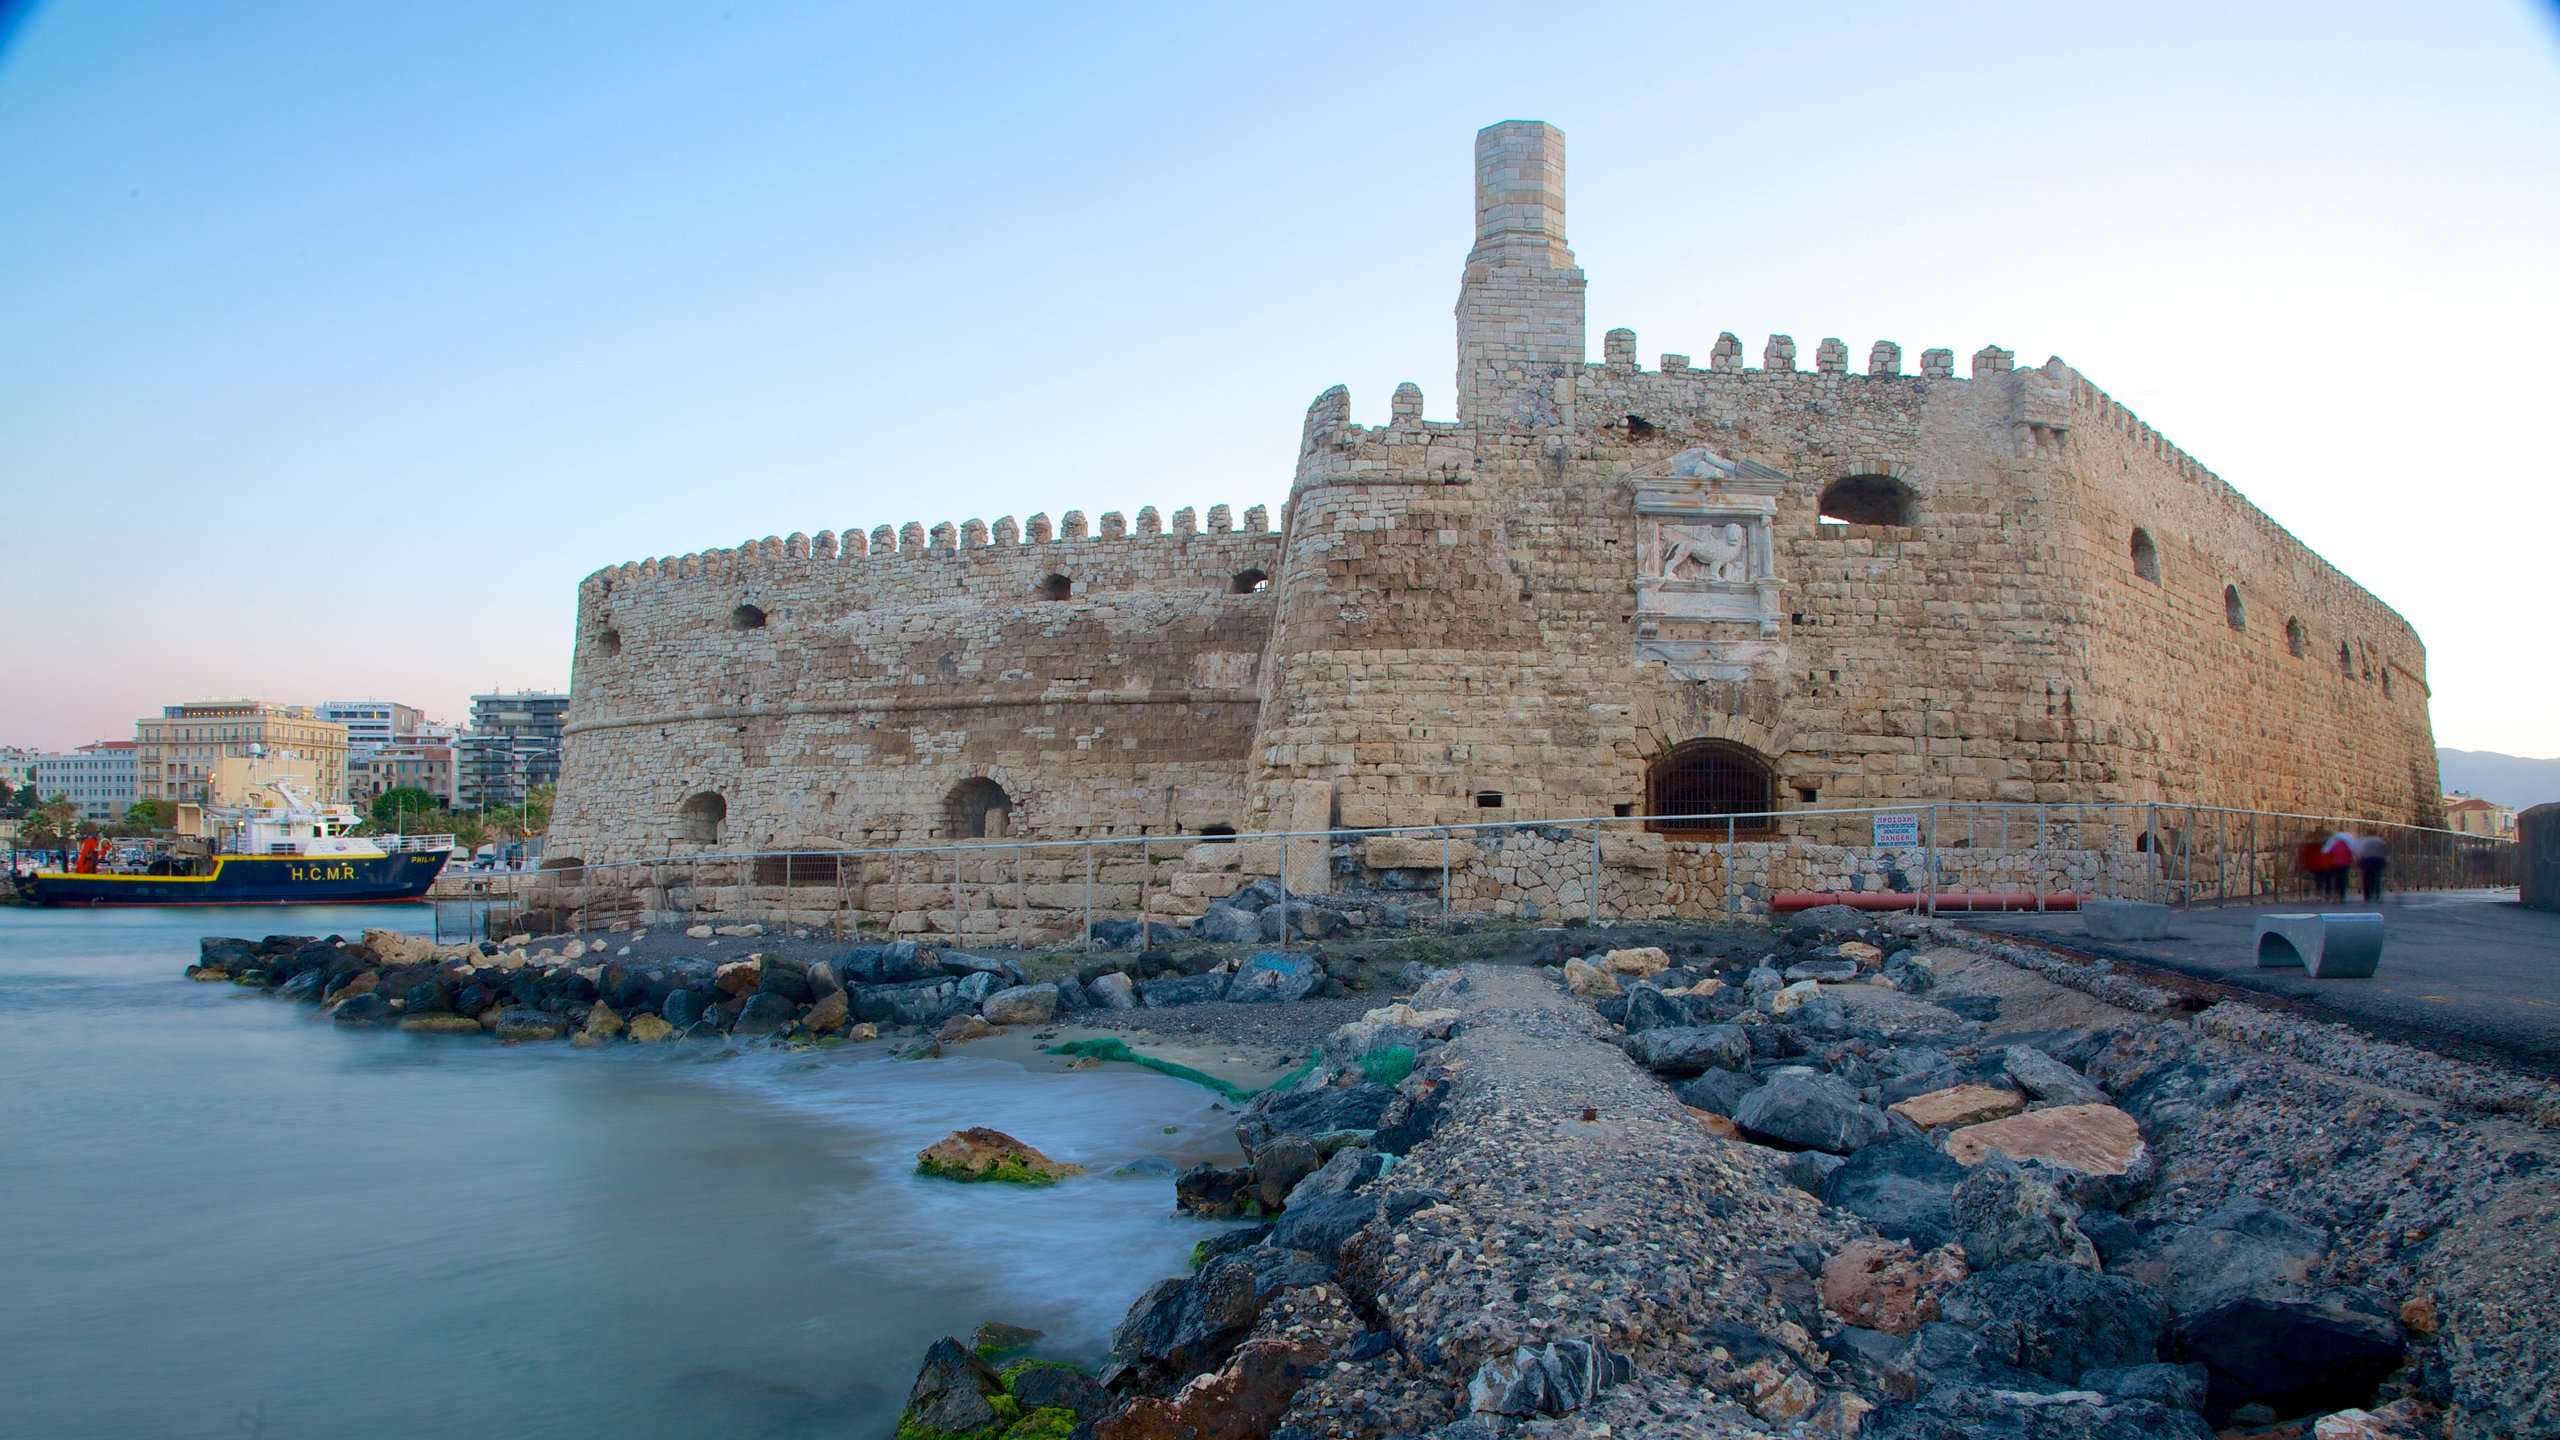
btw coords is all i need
(877, 683)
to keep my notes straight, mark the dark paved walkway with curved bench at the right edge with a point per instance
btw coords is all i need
(2469, 975)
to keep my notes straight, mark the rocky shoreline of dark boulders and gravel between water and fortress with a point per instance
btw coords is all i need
(1844, 1177)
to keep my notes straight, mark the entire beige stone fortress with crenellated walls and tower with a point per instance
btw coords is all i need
(1601, 591)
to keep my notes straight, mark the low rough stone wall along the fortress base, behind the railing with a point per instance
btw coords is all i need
(1046, 896)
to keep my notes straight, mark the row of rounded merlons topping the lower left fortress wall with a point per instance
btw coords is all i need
(943, 539)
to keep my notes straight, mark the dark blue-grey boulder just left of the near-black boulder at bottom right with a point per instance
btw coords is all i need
(2060, 1321)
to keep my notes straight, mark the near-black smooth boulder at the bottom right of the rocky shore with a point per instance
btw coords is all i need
(2298, 1357)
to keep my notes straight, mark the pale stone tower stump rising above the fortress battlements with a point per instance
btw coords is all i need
(1519, 309)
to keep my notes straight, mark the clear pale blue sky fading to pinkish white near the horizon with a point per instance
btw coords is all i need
(342, 342)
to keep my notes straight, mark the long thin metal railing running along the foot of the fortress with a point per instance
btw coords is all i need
(1153, 888)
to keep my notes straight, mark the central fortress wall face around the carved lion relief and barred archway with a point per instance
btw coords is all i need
(1919, 662)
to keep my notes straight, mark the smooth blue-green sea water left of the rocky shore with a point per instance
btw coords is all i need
(221, 1216)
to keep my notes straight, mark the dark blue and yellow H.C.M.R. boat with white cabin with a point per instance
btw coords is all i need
(257, 855)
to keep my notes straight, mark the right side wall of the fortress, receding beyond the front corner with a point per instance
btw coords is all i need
(2200, 711)
